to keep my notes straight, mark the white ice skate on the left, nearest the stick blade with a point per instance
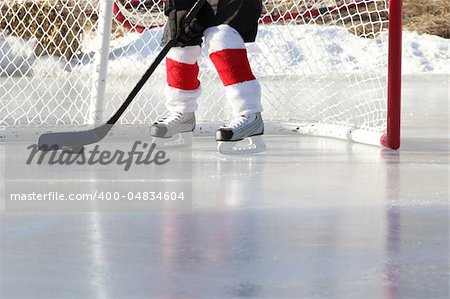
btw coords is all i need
(174, 129)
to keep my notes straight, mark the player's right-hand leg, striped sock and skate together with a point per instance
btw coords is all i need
(227, 51)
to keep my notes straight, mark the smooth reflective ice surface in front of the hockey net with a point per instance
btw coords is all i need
(310, 218)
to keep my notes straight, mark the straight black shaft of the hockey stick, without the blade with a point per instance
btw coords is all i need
(189, 17)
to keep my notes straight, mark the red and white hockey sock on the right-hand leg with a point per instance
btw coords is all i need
(227, 51)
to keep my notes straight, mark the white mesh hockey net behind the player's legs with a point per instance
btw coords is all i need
(322, 64)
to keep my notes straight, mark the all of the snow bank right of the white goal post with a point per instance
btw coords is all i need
(310, 49)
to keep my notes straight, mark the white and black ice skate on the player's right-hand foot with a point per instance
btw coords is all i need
(243, 135)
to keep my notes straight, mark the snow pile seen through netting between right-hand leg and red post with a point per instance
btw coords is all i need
(315, 50)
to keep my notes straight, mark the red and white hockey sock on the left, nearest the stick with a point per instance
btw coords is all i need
(183, 87)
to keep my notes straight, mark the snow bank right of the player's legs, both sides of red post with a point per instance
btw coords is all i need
(314, 48)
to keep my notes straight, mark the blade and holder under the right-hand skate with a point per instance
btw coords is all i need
(250, 145)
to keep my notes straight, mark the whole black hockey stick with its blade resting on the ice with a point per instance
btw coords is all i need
(76, 140)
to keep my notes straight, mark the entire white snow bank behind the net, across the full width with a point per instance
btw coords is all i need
(280, 50)
